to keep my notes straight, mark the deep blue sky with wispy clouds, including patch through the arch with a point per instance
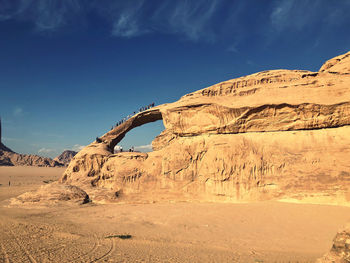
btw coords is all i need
(70, 69)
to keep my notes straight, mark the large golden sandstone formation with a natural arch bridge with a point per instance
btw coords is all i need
(278, 134)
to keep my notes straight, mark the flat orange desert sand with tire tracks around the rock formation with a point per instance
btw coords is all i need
(161, 232)
